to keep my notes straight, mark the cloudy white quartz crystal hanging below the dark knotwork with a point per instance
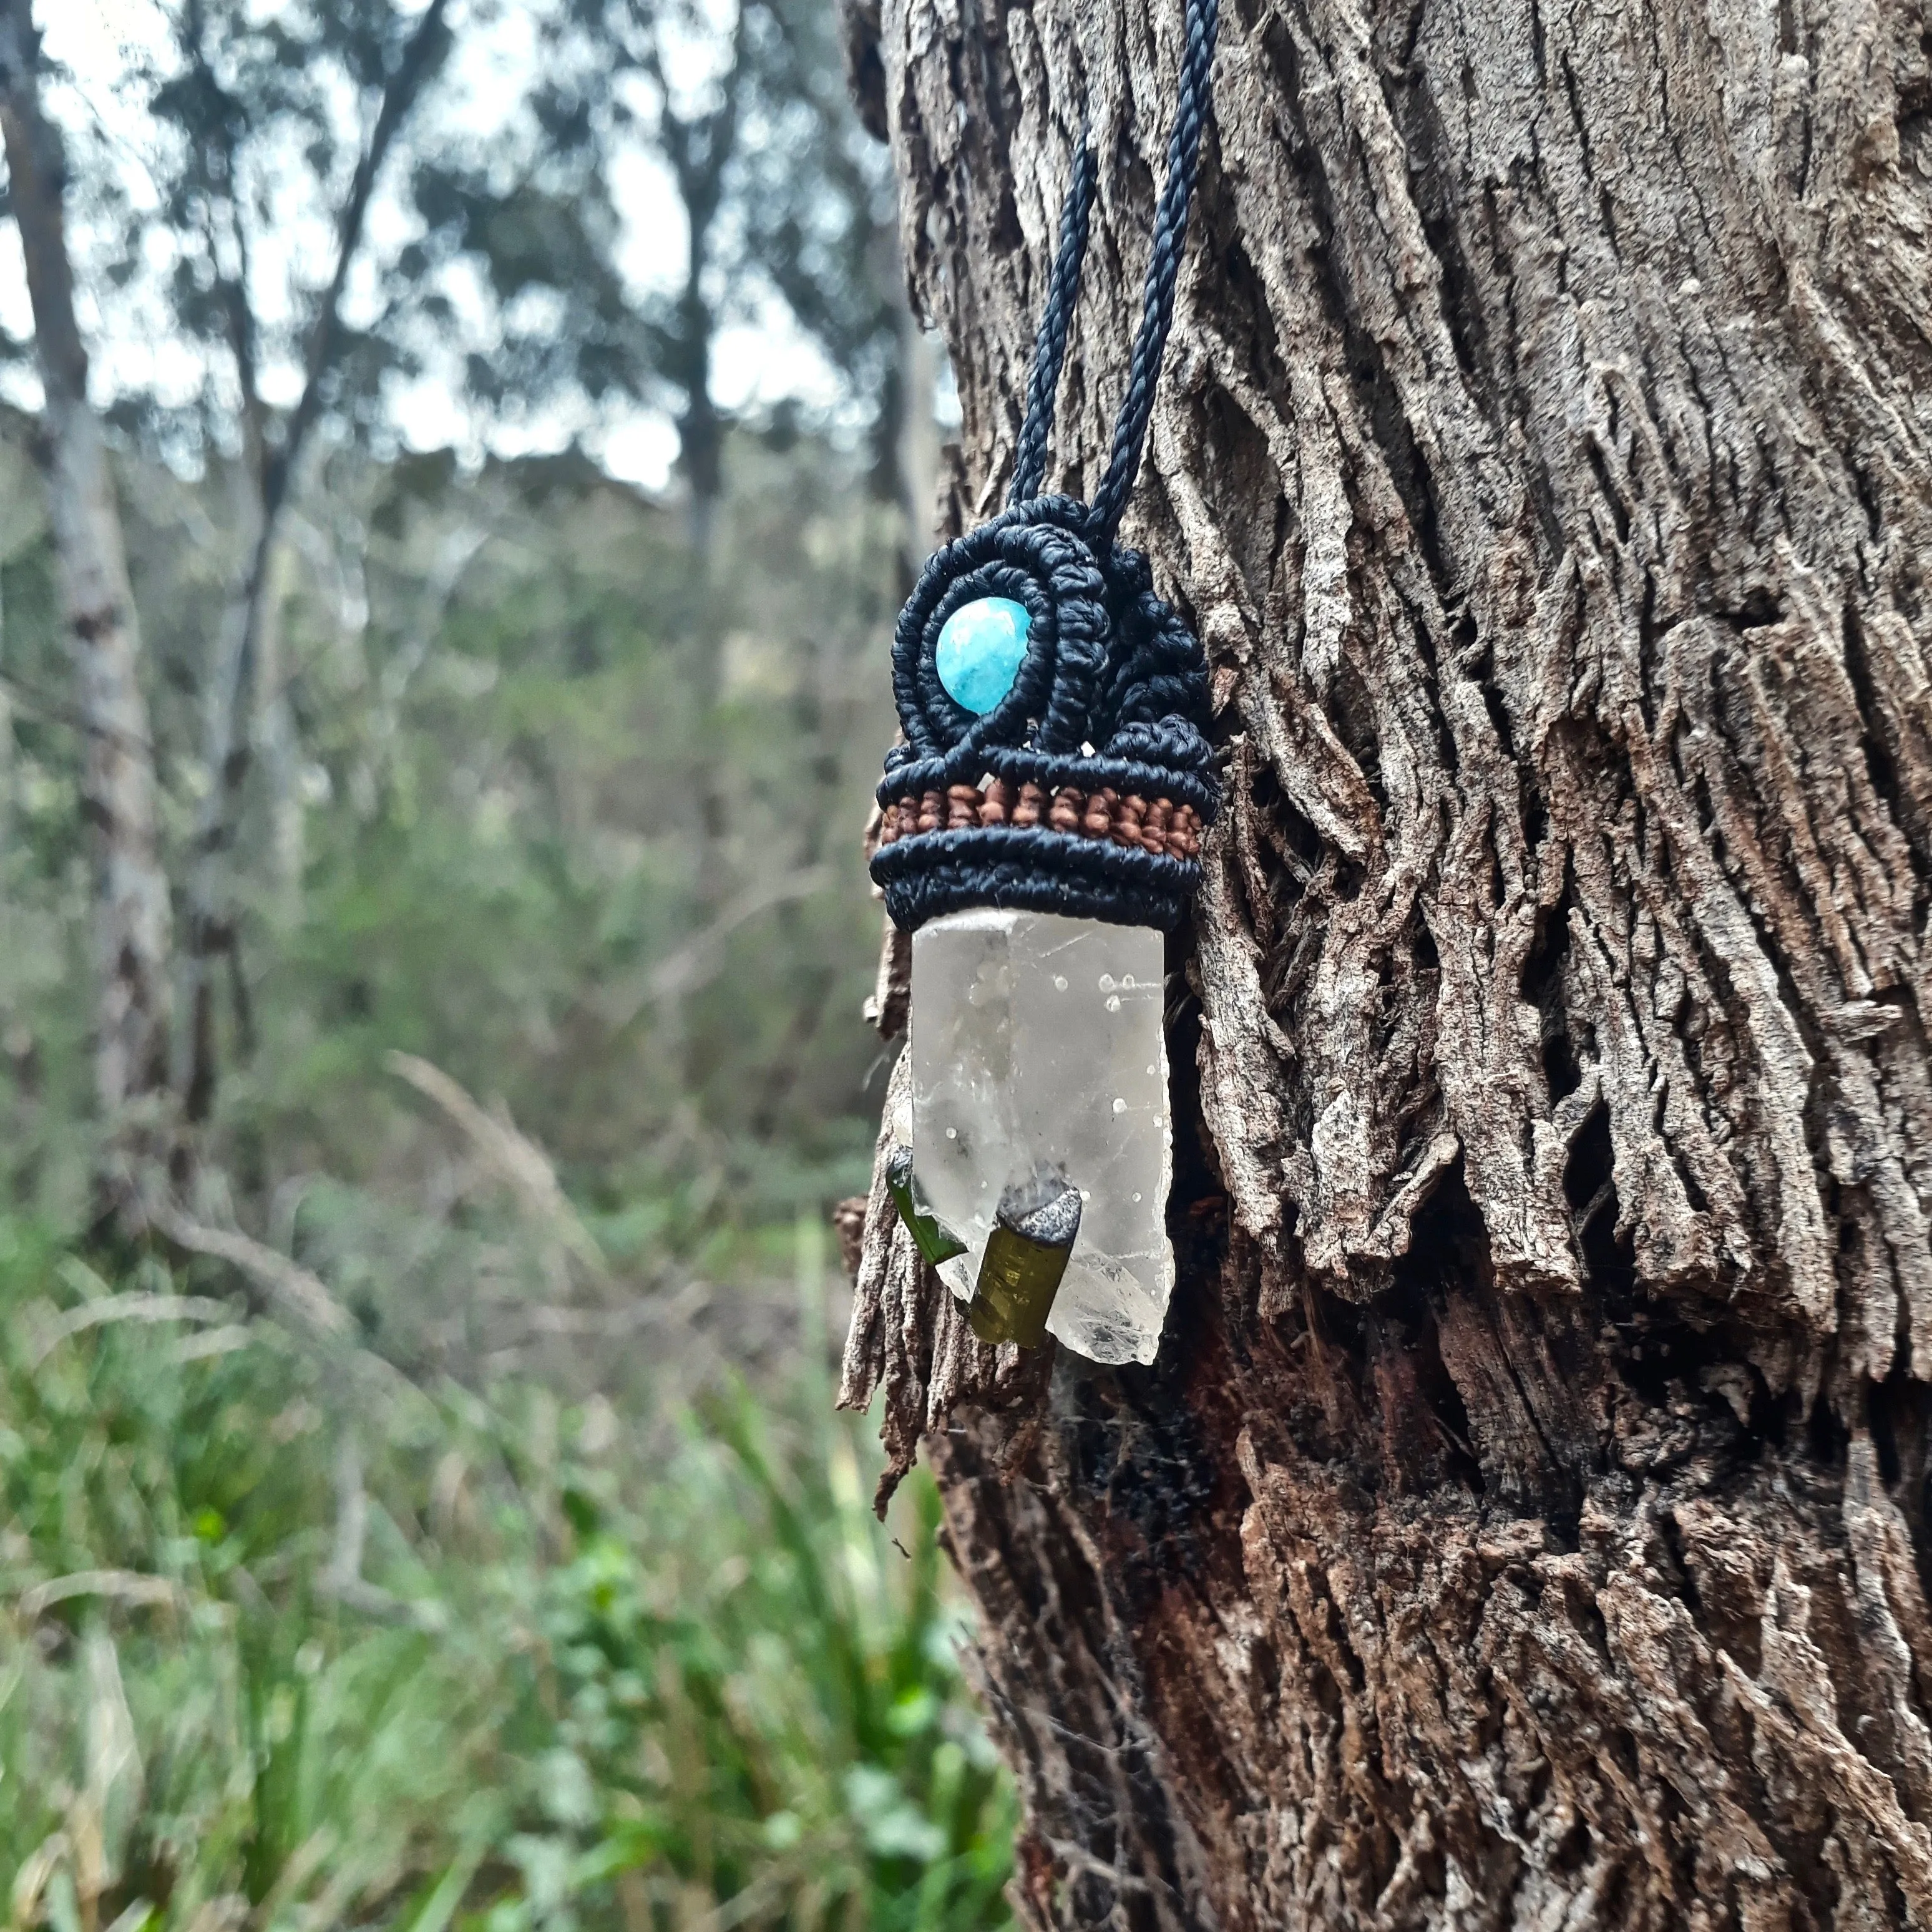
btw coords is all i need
(1038, 1052)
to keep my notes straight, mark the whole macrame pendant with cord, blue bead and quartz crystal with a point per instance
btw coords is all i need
(1042, 838)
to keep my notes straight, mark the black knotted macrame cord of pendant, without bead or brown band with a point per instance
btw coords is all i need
(1112, 695)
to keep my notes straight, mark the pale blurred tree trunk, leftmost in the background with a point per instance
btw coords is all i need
(130, 917)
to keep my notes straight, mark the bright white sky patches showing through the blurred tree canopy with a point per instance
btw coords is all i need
(113, 49)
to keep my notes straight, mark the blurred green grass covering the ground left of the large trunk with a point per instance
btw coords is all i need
(293, 1641)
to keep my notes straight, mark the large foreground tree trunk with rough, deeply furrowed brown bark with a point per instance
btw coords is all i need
(1525, 1523)
